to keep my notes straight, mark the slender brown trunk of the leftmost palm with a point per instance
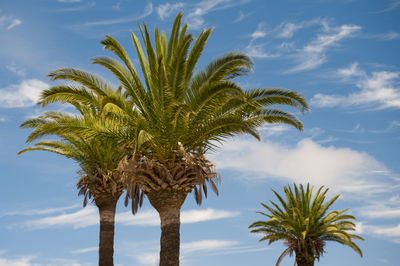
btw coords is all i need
(107, 220)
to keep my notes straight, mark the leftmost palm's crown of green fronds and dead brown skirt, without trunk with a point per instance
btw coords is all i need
(98, 156)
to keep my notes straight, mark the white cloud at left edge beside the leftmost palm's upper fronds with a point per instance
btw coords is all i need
(22, 95)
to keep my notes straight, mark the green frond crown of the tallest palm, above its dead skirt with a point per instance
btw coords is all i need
(178, 108)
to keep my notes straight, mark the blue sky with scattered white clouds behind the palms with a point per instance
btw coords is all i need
(342, 55)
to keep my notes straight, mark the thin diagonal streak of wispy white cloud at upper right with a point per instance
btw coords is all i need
(313, 55)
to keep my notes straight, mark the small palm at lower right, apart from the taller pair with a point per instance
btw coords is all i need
(304, 224)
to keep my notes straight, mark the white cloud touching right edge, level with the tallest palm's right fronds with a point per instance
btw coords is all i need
(380, 89)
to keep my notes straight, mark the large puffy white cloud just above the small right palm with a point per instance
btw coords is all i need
(341, 169)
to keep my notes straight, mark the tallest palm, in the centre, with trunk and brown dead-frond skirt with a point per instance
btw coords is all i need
(171, 118)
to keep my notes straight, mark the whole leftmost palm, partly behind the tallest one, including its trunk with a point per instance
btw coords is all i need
(98, 157)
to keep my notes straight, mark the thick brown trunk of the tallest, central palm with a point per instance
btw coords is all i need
(168, 203)
